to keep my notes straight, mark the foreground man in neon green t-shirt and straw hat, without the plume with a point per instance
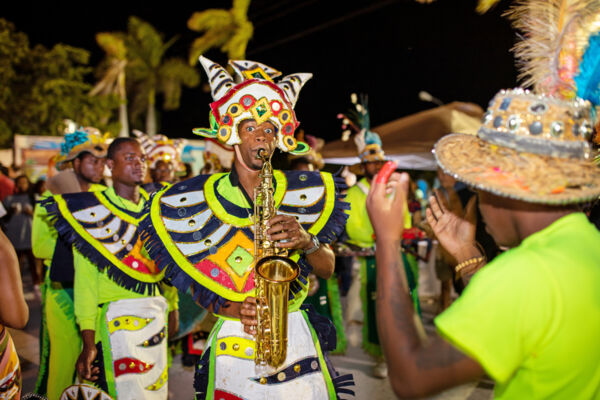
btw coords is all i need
(530, 319)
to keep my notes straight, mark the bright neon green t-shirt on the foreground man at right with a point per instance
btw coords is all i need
(531, 317)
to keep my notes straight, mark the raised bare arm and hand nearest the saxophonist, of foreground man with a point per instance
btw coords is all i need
(416, 367)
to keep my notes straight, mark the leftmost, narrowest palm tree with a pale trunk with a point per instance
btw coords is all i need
(112, 72)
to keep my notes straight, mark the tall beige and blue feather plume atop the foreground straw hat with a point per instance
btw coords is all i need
(560, 47)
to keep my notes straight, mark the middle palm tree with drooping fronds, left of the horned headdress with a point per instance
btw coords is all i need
(150, 74)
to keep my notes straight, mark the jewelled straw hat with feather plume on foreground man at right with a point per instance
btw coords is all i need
(536, 145)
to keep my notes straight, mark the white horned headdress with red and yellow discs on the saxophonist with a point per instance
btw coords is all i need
(256, 97)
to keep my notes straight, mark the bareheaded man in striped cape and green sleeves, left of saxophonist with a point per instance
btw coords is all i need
(118, 303)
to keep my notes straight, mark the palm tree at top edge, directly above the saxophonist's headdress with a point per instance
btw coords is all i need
(228, 29)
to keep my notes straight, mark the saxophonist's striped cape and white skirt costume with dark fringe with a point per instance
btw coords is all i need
(200, 233)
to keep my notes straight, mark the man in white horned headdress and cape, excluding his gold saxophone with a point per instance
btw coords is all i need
(202, 233)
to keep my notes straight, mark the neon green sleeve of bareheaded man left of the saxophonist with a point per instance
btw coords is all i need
(85, 288)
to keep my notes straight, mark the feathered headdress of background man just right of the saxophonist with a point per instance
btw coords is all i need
(358, 120)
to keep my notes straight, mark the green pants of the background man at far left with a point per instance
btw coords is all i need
(63, 343)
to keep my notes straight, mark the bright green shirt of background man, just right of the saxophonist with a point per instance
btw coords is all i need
(358, 226)
